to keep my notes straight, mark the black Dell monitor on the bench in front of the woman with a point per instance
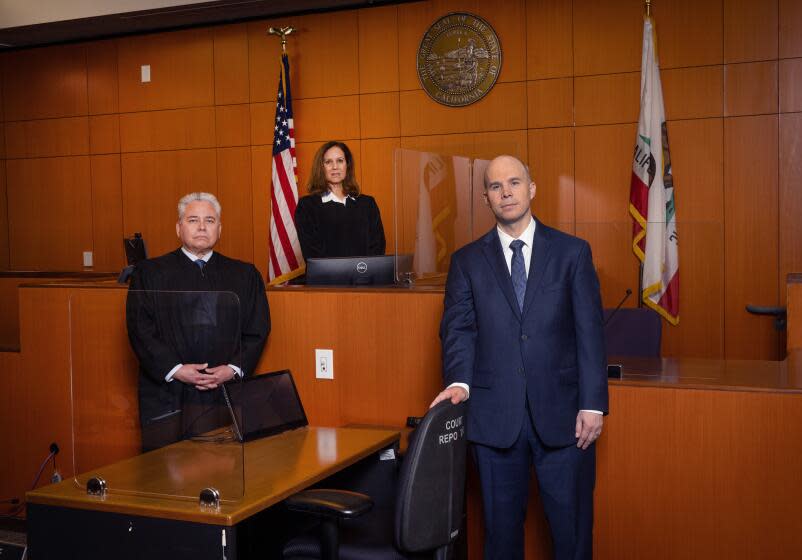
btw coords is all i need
(376, 270)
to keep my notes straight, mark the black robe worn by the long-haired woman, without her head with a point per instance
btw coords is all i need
(331, 229)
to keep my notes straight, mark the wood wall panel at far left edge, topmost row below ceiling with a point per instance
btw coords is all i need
(45, 83)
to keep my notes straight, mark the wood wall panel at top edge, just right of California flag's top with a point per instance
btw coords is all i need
(689, 33)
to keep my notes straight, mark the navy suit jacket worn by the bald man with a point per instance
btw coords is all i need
(551, 353)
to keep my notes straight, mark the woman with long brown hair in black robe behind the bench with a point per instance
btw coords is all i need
(335, 219)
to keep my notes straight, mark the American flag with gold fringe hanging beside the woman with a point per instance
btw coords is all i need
(286, 261)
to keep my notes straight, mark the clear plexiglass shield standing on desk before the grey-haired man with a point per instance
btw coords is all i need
(142, 434)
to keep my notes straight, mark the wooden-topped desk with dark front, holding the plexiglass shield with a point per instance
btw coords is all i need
(63, 519)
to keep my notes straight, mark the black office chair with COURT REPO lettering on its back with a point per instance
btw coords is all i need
(428, 512)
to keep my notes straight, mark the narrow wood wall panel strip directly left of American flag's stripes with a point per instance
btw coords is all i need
(261, 171)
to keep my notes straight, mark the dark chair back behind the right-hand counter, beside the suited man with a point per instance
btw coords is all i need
(633, 331)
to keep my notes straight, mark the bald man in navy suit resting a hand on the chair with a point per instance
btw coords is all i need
(523, 341)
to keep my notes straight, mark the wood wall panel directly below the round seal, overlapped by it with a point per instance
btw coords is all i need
(504, 108)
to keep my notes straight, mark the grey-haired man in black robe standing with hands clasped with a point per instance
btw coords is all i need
(196, 320)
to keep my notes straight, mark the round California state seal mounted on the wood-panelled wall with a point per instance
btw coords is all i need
(459, 59)
